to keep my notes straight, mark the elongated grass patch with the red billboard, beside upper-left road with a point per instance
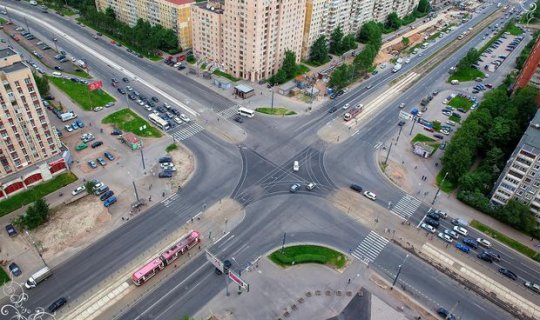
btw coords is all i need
(79, 93)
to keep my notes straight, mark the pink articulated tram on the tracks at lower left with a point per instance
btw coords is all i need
(152, 267)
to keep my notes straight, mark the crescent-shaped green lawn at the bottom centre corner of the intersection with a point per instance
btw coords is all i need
(308, 254)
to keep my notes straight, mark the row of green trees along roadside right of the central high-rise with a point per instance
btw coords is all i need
(371, 35)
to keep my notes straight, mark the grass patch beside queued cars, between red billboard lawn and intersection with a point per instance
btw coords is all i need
(129, 121)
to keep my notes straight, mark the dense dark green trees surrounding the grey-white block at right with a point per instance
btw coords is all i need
(487, 138)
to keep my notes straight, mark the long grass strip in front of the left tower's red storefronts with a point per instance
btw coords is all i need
(39, 191)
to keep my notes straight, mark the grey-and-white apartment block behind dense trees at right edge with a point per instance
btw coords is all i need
(520, 178)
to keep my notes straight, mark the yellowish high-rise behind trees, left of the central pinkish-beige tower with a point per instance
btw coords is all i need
(171, 14)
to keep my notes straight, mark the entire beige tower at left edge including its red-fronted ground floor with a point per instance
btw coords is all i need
(30, 150)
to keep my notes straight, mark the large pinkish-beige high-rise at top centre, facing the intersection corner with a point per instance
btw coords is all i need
(253, 35)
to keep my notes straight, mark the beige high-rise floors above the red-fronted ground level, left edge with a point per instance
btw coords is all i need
(26, 135)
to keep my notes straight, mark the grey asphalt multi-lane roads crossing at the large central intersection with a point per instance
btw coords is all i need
(257, 174)
